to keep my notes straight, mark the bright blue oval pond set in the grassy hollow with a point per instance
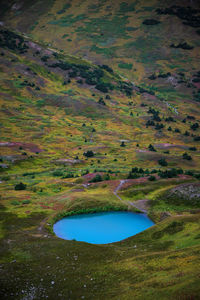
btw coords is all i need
(101, 228)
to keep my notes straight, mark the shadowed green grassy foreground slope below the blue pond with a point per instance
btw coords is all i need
(135, 260)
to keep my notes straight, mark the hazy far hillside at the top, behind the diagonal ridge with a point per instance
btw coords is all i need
(116, 33)
